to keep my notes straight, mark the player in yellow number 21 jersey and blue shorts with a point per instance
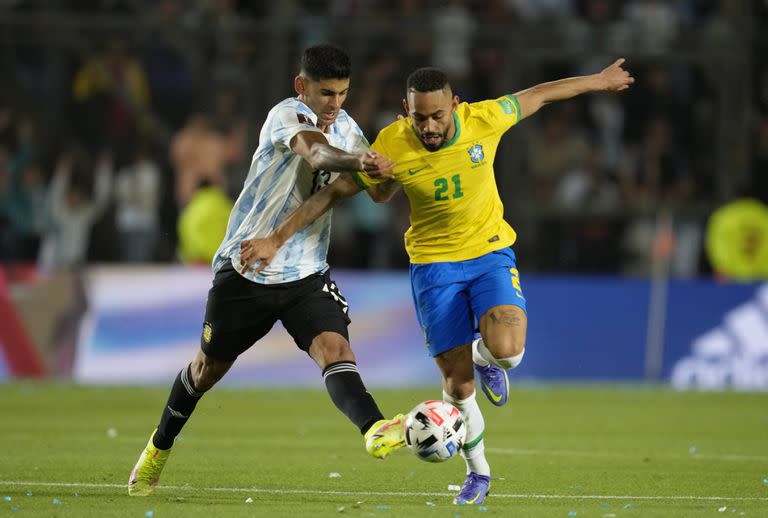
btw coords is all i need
(463, 272)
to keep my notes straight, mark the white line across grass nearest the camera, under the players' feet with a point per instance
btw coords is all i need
(380, 493)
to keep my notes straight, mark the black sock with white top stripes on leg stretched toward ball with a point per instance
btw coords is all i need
(349, 395)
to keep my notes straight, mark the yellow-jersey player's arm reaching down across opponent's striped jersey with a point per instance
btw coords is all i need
(264, 249)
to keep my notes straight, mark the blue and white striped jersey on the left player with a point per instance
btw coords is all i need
(278, 182)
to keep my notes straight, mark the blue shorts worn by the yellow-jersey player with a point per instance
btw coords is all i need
(450, 297)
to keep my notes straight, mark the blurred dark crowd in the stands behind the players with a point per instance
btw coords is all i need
(127, 126)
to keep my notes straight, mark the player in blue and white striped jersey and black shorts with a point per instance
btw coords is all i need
(305, 143)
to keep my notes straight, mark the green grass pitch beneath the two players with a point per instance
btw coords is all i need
(561, 450)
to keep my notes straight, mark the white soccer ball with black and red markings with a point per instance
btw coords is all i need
(434, 431)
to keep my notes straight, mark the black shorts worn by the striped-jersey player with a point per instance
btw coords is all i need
(239, 312)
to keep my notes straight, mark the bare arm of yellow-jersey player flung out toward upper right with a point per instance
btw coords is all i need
(611, 79)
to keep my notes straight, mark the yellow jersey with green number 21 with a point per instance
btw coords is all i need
(456, 212)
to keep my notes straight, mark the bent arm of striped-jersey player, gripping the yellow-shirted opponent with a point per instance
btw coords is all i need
(314, 148)
